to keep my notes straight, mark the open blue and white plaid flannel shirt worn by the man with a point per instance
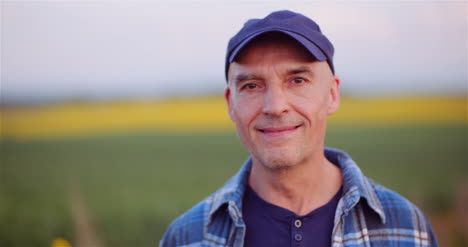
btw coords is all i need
(367, 214)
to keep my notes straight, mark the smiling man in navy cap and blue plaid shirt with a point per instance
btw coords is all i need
(293, 191)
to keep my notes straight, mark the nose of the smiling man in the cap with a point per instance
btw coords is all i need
(275, 101)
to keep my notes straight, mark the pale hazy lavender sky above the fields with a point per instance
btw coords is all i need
(122, 49)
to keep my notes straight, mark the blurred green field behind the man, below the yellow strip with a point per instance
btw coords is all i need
(134, 185)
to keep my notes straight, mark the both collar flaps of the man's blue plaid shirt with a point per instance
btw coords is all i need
(355, 187)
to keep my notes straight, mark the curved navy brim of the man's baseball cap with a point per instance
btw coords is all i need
(309, 45)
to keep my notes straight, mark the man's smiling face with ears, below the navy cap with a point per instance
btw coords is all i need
(279, 101)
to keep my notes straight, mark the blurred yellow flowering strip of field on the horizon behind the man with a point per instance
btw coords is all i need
(208, 114)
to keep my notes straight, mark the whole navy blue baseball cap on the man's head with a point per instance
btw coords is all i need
(297, 26)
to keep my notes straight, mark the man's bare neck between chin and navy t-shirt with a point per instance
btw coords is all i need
(301, 188)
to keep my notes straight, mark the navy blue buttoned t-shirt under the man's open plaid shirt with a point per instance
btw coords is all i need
(270, 225)
